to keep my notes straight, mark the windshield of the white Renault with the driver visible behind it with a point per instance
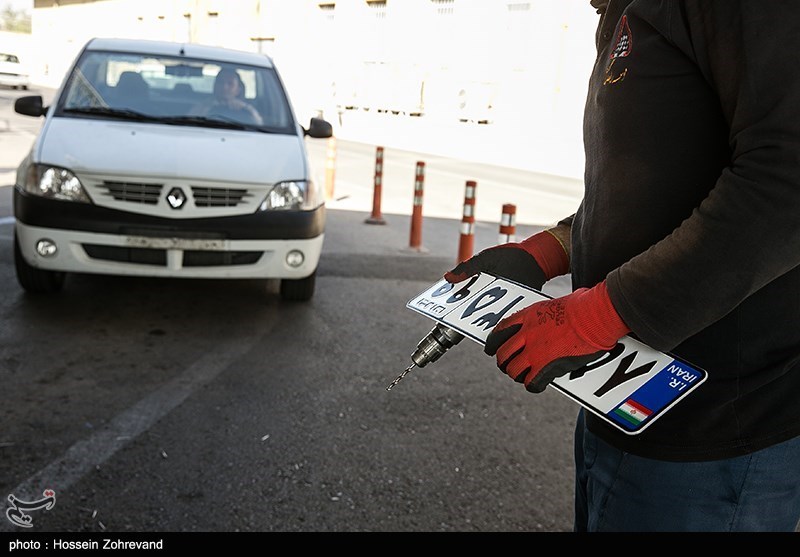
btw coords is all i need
(177, 91)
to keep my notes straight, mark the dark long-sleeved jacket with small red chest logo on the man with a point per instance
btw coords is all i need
(692, 210)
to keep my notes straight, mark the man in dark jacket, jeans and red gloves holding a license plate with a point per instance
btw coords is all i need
(687, 238)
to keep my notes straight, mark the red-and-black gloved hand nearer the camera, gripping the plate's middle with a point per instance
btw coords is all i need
(551, 338)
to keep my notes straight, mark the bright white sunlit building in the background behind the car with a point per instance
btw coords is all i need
(519, 65)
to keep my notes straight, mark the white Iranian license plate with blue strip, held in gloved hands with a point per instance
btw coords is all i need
(630, 387)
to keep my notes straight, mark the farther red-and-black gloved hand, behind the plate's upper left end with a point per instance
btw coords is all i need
(531, 262)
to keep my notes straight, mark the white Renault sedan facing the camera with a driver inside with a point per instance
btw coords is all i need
(169, 160)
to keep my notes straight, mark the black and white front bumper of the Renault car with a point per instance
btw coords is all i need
(92, 239)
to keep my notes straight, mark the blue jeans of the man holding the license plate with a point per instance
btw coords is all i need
(619, 492)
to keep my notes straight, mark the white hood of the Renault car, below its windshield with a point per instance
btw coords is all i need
(154, 150)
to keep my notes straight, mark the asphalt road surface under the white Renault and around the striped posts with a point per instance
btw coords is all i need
(152, 405)
